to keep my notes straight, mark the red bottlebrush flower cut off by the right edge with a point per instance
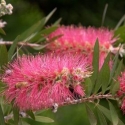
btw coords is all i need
(121, 92)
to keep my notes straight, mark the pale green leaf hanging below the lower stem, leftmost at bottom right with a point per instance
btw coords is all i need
(91, 116)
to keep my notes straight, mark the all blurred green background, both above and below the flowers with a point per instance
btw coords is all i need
(77, 12)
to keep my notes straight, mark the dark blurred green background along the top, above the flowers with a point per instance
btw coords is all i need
(84, 12)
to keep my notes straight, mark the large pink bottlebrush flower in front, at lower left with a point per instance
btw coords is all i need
(38, 82)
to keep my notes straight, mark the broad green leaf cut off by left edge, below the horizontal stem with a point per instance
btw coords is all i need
(3, 55)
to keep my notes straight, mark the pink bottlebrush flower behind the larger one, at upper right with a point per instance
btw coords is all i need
(82, 39)
